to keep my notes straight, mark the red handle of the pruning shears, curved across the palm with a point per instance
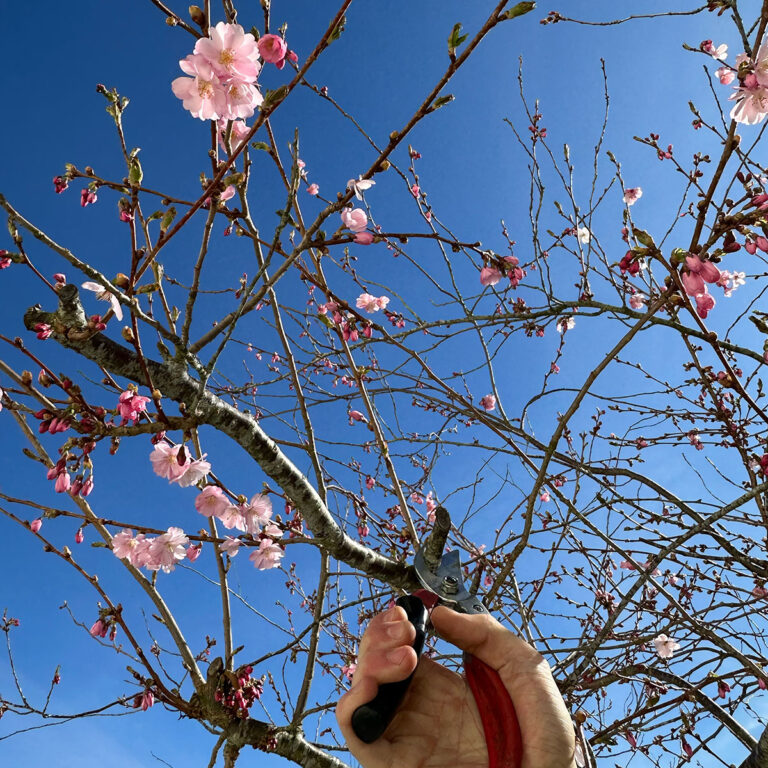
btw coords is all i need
(502, 731)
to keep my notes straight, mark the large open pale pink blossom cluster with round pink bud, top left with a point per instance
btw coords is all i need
(222, 72)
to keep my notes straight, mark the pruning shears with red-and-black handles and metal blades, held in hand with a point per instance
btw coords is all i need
(441, 578)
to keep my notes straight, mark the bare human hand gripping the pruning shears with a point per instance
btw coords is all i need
(438, 724)
